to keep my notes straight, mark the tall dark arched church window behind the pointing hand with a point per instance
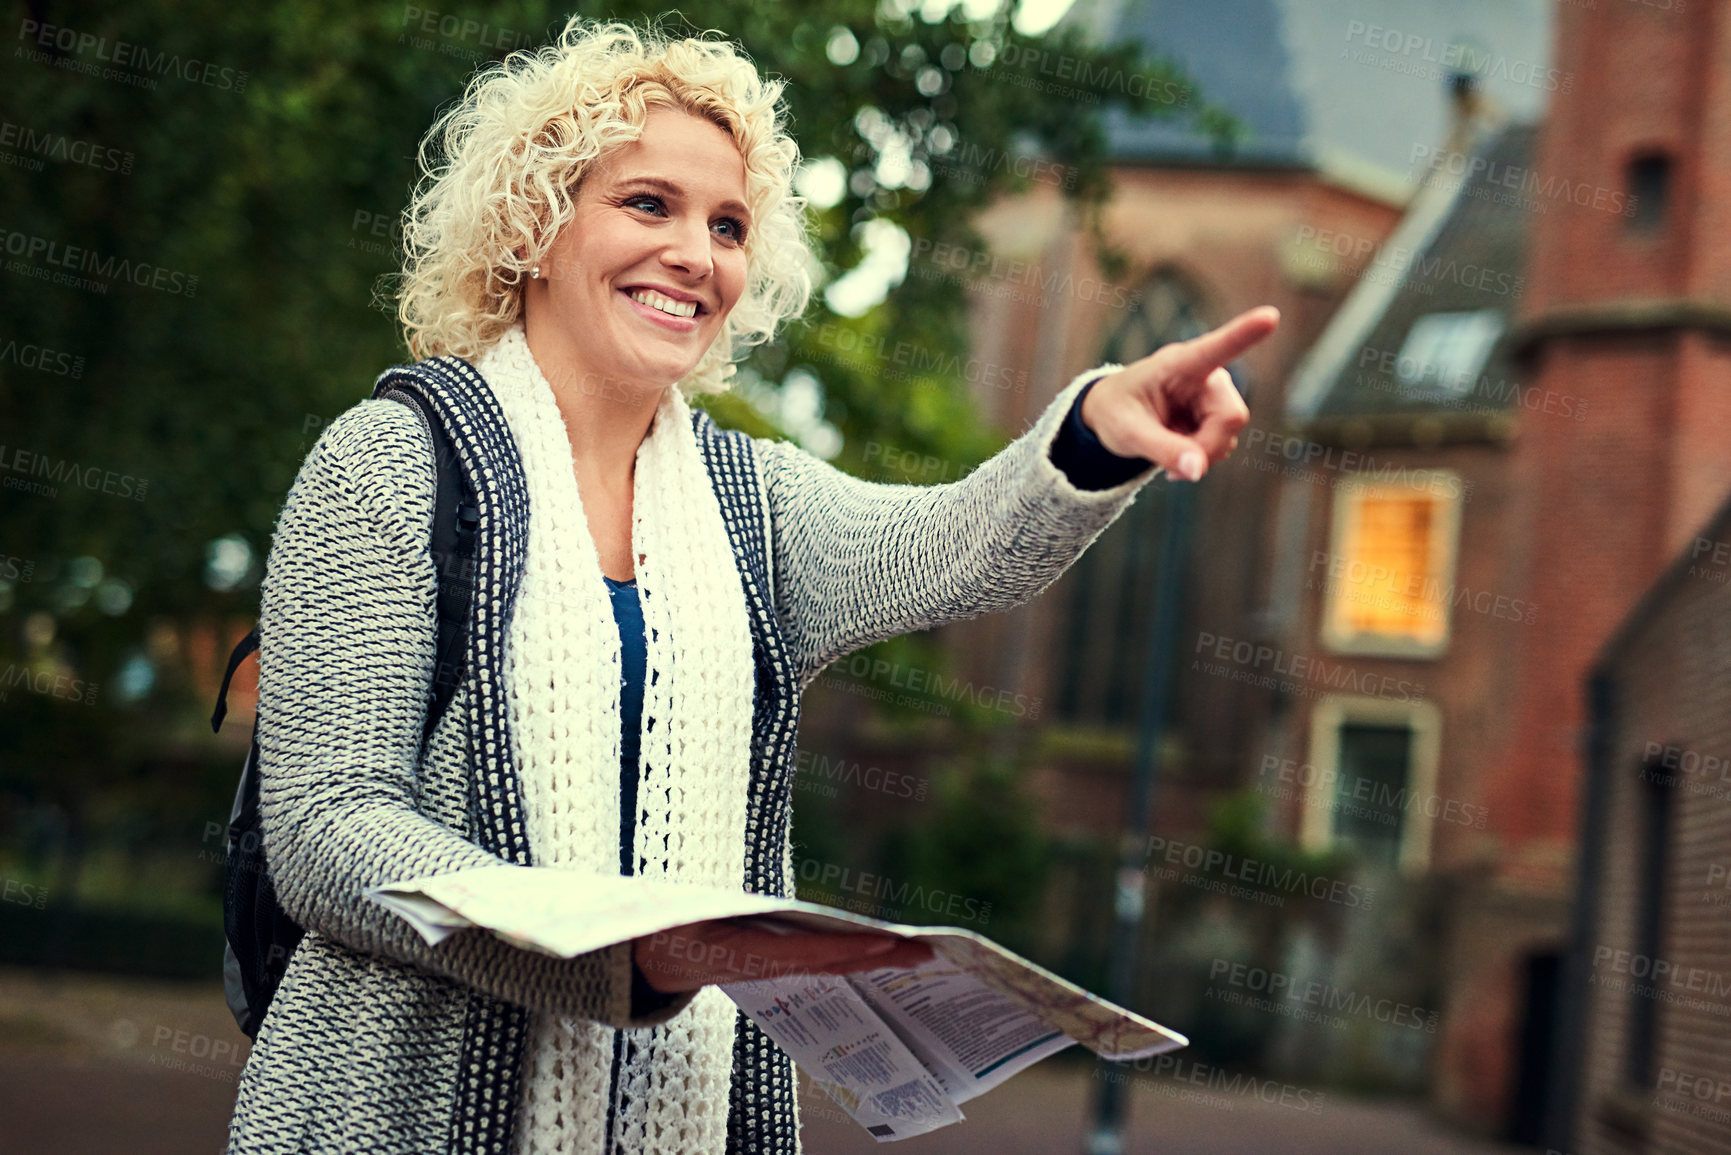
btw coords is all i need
(1110, 590)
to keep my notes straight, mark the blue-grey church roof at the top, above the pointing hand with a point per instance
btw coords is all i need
(1358, 87)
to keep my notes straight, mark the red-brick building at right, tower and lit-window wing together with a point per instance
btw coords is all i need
(1611, 342)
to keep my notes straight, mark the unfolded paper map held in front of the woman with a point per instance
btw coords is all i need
(898, 1049)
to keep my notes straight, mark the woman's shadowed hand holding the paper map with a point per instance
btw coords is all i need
(724, 952)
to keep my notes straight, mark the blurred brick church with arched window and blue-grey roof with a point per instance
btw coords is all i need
(1329, 157)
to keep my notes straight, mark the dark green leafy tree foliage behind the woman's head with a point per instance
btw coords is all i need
(238, 172)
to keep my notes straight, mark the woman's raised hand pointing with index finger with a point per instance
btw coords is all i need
(1178, 408)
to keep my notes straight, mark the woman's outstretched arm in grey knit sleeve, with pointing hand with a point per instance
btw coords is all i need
(859, 562)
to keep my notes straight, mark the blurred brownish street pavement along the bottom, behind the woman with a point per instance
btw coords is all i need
(96, 1066)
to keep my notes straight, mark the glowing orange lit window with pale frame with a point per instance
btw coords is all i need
(1389, 579)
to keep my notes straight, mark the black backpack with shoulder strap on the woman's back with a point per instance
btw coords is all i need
(261, 936)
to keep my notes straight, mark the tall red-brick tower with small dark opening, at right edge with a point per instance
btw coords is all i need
(1633, 314)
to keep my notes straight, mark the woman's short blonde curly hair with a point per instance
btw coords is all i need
(503, 167)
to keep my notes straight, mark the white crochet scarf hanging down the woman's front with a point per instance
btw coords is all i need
(563, 676)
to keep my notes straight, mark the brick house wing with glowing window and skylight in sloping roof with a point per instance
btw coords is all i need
(1406, 603)
